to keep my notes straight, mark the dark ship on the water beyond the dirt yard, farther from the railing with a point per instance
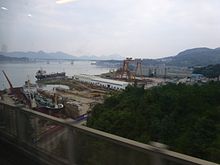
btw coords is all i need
(41, 75)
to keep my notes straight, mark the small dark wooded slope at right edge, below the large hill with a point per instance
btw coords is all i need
(211, 71)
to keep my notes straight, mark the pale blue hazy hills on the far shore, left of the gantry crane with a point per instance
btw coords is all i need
(57, 55)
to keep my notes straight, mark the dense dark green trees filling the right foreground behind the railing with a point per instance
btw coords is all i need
(187, 118)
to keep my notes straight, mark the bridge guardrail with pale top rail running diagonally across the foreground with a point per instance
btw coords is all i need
(57, 141)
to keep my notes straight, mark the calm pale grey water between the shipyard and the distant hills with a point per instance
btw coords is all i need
(19, 73)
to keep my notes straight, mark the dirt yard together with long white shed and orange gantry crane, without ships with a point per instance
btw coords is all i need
(85, 91)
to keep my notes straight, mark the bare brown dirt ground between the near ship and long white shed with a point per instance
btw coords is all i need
(80, 97)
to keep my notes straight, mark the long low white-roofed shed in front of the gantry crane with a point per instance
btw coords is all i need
(107, 83)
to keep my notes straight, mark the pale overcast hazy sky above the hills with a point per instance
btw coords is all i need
(131, 28)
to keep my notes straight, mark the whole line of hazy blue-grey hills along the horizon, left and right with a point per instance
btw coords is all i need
(187, 58)
